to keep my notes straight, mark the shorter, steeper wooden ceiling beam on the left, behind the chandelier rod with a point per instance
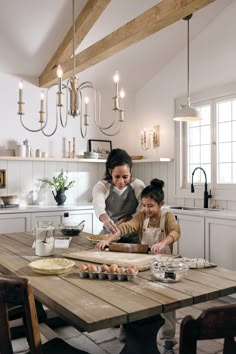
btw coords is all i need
(83, 24)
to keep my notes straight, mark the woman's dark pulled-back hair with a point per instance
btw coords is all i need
(117, 157)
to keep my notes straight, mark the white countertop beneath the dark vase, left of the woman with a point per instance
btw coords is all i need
(43, 208)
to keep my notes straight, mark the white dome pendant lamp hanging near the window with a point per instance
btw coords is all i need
(187, 113)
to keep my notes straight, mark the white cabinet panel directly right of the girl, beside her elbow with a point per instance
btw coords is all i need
(191, 242)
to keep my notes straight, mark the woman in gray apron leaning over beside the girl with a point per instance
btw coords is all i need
(117, 197)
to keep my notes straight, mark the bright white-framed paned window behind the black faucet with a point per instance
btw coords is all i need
(211, 144)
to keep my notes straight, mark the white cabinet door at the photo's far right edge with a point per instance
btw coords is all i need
(221, 242)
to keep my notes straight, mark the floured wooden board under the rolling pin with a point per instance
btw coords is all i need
(141, 261)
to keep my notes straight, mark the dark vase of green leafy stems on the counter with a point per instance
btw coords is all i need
(59, 184)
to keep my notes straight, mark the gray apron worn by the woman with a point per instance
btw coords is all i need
(119, 206)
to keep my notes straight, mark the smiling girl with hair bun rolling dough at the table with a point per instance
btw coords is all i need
(159, 230)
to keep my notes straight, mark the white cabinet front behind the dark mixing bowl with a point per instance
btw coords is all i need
(62, 216)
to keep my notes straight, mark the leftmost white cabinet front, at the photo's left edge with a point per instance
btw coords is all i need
(15, 222)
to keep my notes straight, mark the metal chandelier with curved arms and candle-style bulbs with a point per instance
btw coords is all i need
(77, 102)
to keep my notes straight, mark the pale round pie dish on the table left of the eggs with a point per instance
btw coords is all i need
(52, 266)
